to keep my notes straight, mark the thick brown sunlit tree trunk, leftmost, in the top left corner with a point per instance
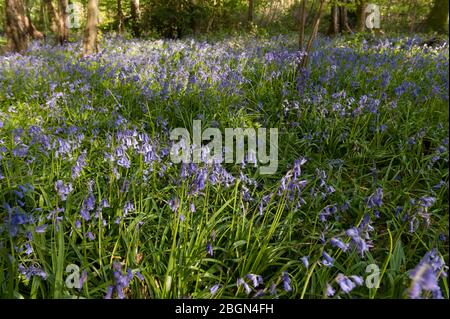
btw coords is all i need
(16, 26)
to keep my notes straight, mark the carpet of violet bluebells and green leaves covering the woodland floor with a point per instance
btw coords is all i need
(85, 176)
